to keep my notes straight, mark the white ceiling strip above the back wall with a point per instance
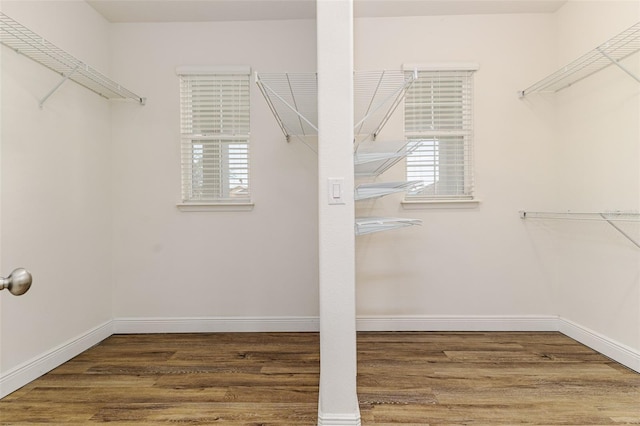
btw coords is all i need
(248, 10)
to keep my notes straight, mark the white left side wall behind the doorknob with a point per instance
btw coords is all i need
(55, 188)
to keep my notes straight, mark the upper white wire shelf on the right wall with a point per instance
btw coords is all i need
(609, 53)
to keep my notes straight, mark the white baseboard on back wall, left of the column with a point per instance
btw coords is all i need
(215, 324)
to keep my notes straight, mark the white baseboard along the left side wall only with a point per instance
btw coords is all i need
(28, 371)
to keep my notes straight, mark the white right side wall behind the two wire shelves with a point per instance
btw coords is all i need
(599, 148)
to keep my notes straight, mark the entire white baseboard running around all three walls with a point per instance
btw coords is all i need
(34, 368)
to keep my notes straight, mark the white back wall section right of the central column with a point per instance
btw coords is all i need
(479, 260)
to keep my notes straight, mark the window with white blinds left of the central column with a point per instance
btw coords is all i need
(214, 127)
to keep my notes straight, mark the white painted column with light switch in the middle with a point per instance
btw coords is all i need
(338, 402)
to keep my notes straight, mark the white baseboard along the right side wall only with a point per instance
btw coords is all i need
(623, 354)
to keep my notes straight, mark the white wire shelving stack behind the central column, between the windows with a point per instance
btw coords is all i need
(293, 100)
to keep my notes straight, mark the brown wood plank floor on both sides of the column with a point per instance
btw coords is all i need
(272, 379)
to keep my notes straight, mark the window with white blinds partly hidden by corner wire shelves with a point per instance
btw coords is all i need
(438, 126)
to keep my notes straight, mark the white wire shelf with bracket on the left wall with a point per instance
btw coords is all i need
(24, 41)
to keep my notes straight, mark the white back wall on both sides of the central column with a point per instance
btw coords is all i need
(461, 262)
